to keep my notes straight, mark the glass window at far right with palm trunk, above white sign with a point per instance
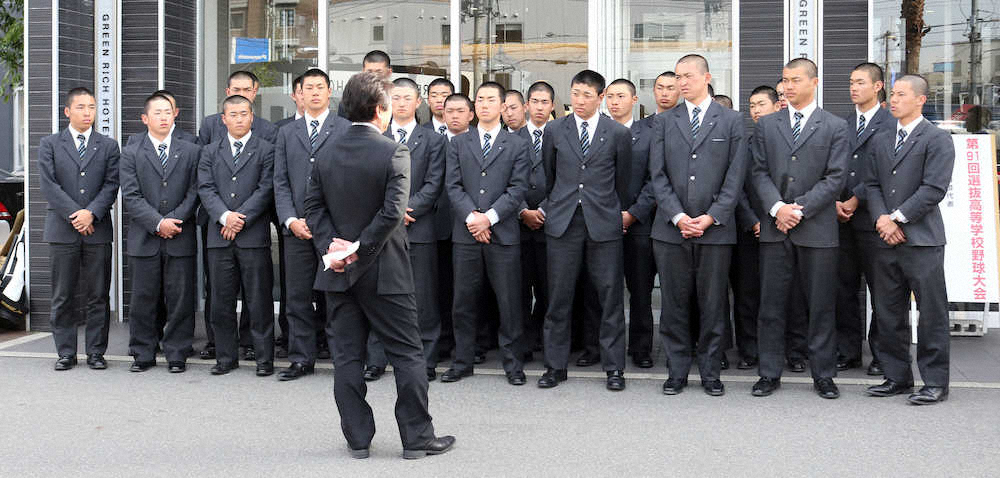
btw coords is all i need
(958, 53)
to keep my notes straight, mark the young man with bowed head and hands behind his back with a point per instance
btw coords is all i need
(588, 162)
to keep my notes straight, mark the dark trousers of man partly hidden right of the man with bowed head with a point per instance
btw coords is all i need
(640, 273)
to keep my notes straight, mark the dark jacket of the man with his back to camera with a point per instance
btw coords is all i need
(358, 192)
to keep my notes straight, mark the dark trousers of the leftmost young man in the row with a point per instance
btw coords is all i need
(85, 268)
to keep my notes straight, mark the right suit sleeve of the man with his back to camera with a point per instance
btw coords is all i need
(390, 216)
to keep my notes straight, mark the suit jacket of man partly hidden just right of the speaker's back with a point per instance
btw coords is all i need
(427, 164)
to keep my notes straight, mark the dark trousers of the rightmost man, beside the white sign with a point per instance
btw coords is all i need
(898, 272)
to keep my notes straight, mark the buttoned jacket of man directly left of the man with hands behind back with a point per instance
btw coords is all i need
(498, 183)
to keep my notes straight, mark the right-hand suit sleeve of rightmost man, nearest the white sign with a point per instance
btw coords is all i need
(939, 163)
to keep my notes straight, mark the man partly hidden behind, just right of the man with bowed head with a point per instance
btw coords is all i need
(637, 220)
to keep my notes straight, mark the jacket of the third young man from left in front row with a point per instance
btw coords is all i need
(246, 188)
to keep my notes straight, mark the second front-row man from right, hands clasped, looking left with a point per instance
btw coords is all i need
(798, 172)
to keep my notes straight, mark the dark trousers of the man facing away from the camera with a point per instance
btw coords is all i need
(351, 316)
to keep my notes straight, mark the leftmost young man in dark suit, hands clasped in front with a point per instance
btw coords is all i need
(78, 176)
